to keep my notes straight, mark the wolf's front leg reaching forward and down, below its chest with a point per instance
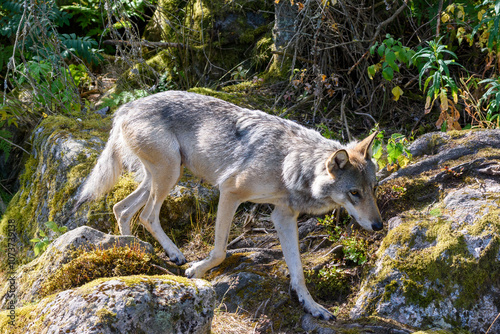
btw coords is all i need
(285, 221)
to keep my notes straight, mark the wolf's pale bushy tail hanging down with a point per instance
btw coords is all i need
(107, 170)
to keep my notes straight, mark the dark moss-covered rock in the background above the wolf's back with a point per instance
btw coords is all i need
(214, 37)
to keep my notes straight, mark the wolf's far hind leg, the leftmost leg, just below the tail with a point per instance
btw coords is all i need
(128, 207)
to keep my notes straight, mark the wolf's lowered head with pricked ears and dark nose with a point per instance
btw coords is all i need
(353, 172)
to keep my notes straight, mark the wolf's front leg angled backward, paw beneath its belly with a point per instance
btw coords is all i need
(228, 204)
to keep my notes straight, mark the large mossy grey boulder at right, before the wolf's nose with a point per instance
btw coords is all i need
(439, 265)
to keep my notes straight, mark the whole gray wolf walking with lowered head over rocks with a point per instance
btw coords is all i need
(250, 155)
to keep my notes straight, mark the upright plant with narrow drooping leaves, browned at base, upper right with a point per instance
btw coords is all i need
(439, 82)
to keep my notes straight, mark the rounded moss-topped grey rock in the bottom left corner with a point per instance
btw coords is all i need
(132, 304)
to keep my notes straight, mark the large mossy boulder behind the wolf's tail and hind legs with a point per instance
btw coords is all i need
(64, 150)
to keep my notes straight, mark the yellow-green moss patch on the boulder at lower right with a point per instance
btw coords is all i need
(444, 261)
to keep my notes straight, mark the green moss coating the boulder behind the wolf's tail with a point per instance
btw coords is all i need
(38, 186)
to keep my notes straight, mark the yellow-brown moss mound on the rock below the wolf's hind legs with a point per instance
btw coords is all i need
(87, 266)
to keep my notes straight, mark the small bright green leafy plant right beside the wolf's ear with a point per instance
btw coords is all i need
(396, 154)
